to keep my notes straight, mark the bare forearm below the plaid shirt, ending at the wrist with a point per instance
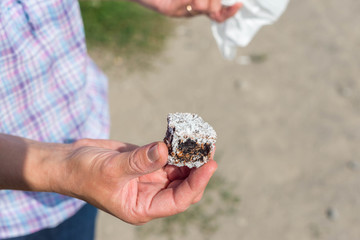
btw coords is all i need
(29, 165)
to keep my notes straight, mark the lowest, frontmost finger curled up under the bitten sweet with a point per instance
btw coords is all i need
(171, 201)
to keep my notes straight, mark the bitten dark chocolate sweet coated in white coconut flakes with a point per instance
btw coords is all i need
(189, 139)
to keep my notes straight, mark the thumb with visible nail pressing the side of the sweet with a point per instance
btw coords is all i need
(145, 159)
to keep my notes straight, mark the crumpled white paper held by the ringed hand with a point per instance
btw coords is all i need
(240, 29)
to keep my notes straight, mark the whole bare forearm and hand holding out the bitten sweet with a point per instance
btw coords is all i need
(130, 182)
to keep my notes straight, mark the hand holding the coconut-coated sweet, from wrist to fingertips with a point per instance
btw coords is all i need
(130, 182)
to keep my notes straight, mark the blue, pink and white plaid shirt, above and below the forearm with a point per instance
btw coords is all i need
(50, 91)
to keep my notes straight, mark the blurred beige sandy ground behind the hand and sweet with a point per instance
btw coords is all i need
(288, 124)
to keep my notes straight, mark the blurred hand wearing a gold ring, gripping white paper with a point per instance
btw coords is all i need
(187, 8)
